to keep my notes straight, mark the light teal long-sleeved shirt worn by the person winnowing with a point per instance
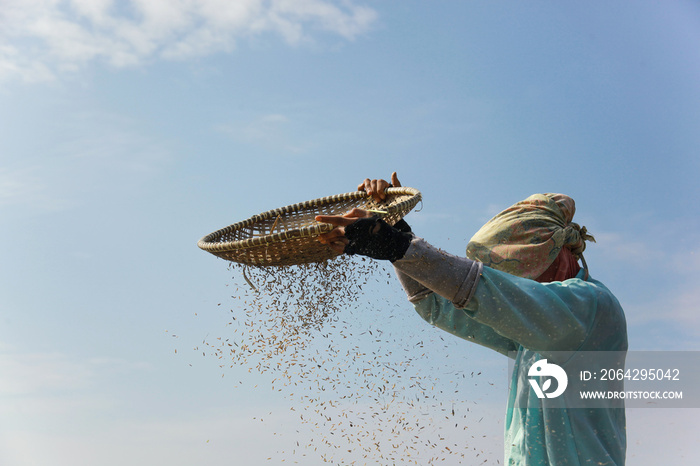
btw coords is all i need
(532, 320)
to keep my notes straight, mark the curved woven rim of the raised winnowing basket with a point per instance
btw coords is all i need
(207, 244)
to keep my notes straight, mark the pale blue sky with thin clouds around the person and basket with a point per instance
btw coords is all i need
(128, 130)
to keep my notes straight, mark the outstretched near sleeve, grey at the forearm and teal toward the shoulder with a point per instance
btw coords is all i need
(500, 311)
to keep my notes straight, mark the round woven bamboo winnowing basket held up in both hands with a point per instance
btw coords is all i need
(288, 235)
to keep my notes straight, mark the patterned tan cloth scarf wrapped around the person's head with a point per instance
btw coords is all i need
(524, 239)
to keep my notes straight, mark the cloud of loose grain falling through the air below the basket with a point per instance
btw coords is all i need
(363, 395)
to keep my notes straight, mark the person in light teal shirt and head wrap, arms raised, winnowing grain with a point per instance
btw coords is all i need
(521, 292)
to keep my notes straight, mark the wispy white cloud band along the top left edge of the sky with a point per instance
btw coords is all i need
(40, 39)
